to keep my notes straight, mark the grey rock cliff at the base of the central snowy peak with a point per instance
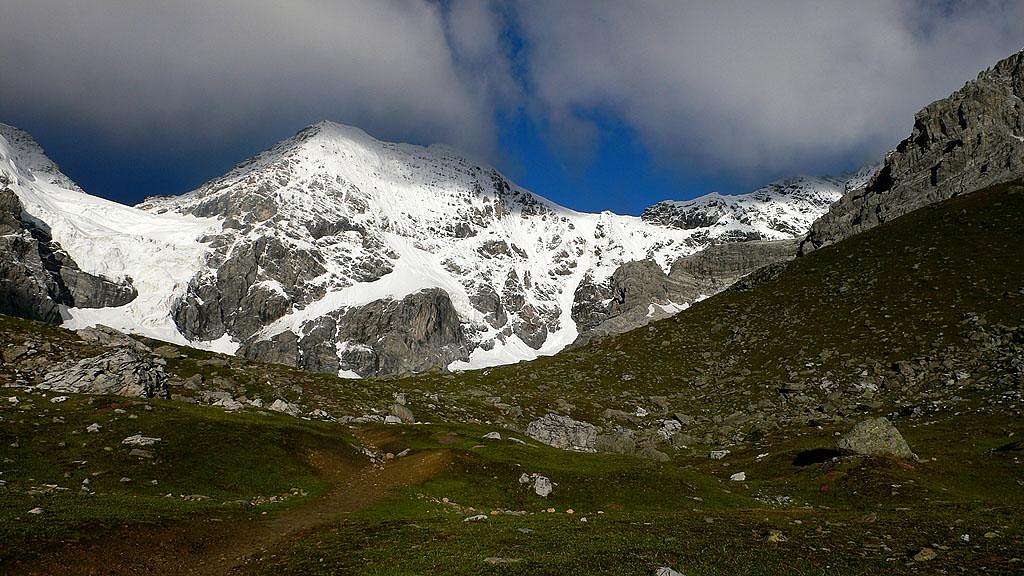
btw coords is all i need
(388, 337)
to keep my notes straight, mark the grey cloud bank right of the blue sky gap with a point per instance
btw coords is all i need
(780, 86)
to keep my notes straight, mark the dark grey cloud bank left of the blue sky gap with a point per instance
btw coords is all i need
(201, 71)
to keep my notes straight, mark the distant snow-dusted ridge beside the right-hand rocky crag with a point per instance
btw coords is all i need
(783, 210)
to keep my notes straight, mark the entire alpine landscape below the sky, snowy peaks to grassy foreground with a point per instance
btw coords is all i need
(825, 377)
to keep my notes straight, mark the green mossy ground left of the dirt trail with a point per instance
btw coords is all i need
(206, 463)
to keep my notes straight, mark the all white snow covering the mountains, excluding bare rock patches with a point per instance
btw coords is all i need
(436, 219)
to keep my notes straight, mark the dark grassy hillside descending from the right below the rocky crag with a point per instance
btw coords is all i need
(921, 310)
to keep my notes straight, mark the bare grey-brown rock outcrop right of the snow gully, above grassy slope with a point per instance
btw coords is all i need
(641, 293)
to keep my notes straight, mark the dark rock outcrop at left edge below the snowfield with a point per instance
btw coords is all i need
(37, 277)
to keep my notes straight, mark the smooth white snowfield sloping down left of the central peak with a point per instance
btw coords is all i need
(160, 253)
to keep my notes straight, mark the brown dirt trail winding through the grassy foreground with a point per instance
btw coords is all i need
(215, 548)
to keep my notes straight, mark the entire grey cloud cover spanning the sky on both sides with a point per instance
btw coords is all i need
(743, 88)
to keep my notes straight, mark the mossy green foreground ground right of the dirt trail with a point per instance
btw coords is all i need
(856, 516)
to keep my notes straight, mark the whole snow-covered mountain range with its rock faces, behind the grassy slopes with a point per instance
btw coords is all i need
(337, 253)
